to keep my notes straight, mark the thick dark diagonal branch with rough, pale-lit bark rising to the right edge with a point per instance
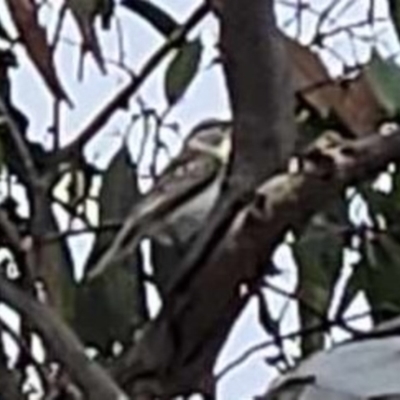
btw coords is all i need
(192, 328)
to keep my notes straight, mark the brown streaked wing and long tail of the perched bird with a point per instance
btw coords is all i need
(187, 174)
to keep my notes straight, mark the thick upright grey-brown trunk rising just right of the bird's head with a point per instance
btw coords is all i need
(259, 82)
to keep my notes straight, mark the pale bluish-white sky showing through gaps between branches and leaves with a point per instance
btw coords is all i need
(206, 98)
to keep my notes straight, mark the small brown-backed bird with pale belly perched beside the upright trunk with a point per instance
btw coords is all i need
(182, 197)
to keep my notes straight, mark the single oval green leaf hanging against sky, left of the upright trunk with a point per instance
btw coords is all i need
(182, 70)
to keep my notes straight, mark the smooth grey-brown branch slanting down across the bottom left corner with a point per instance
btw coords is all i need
(63, 344)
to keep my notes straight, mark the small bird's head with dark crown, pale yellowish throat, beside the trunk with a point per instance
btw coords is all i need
(212, 137)
